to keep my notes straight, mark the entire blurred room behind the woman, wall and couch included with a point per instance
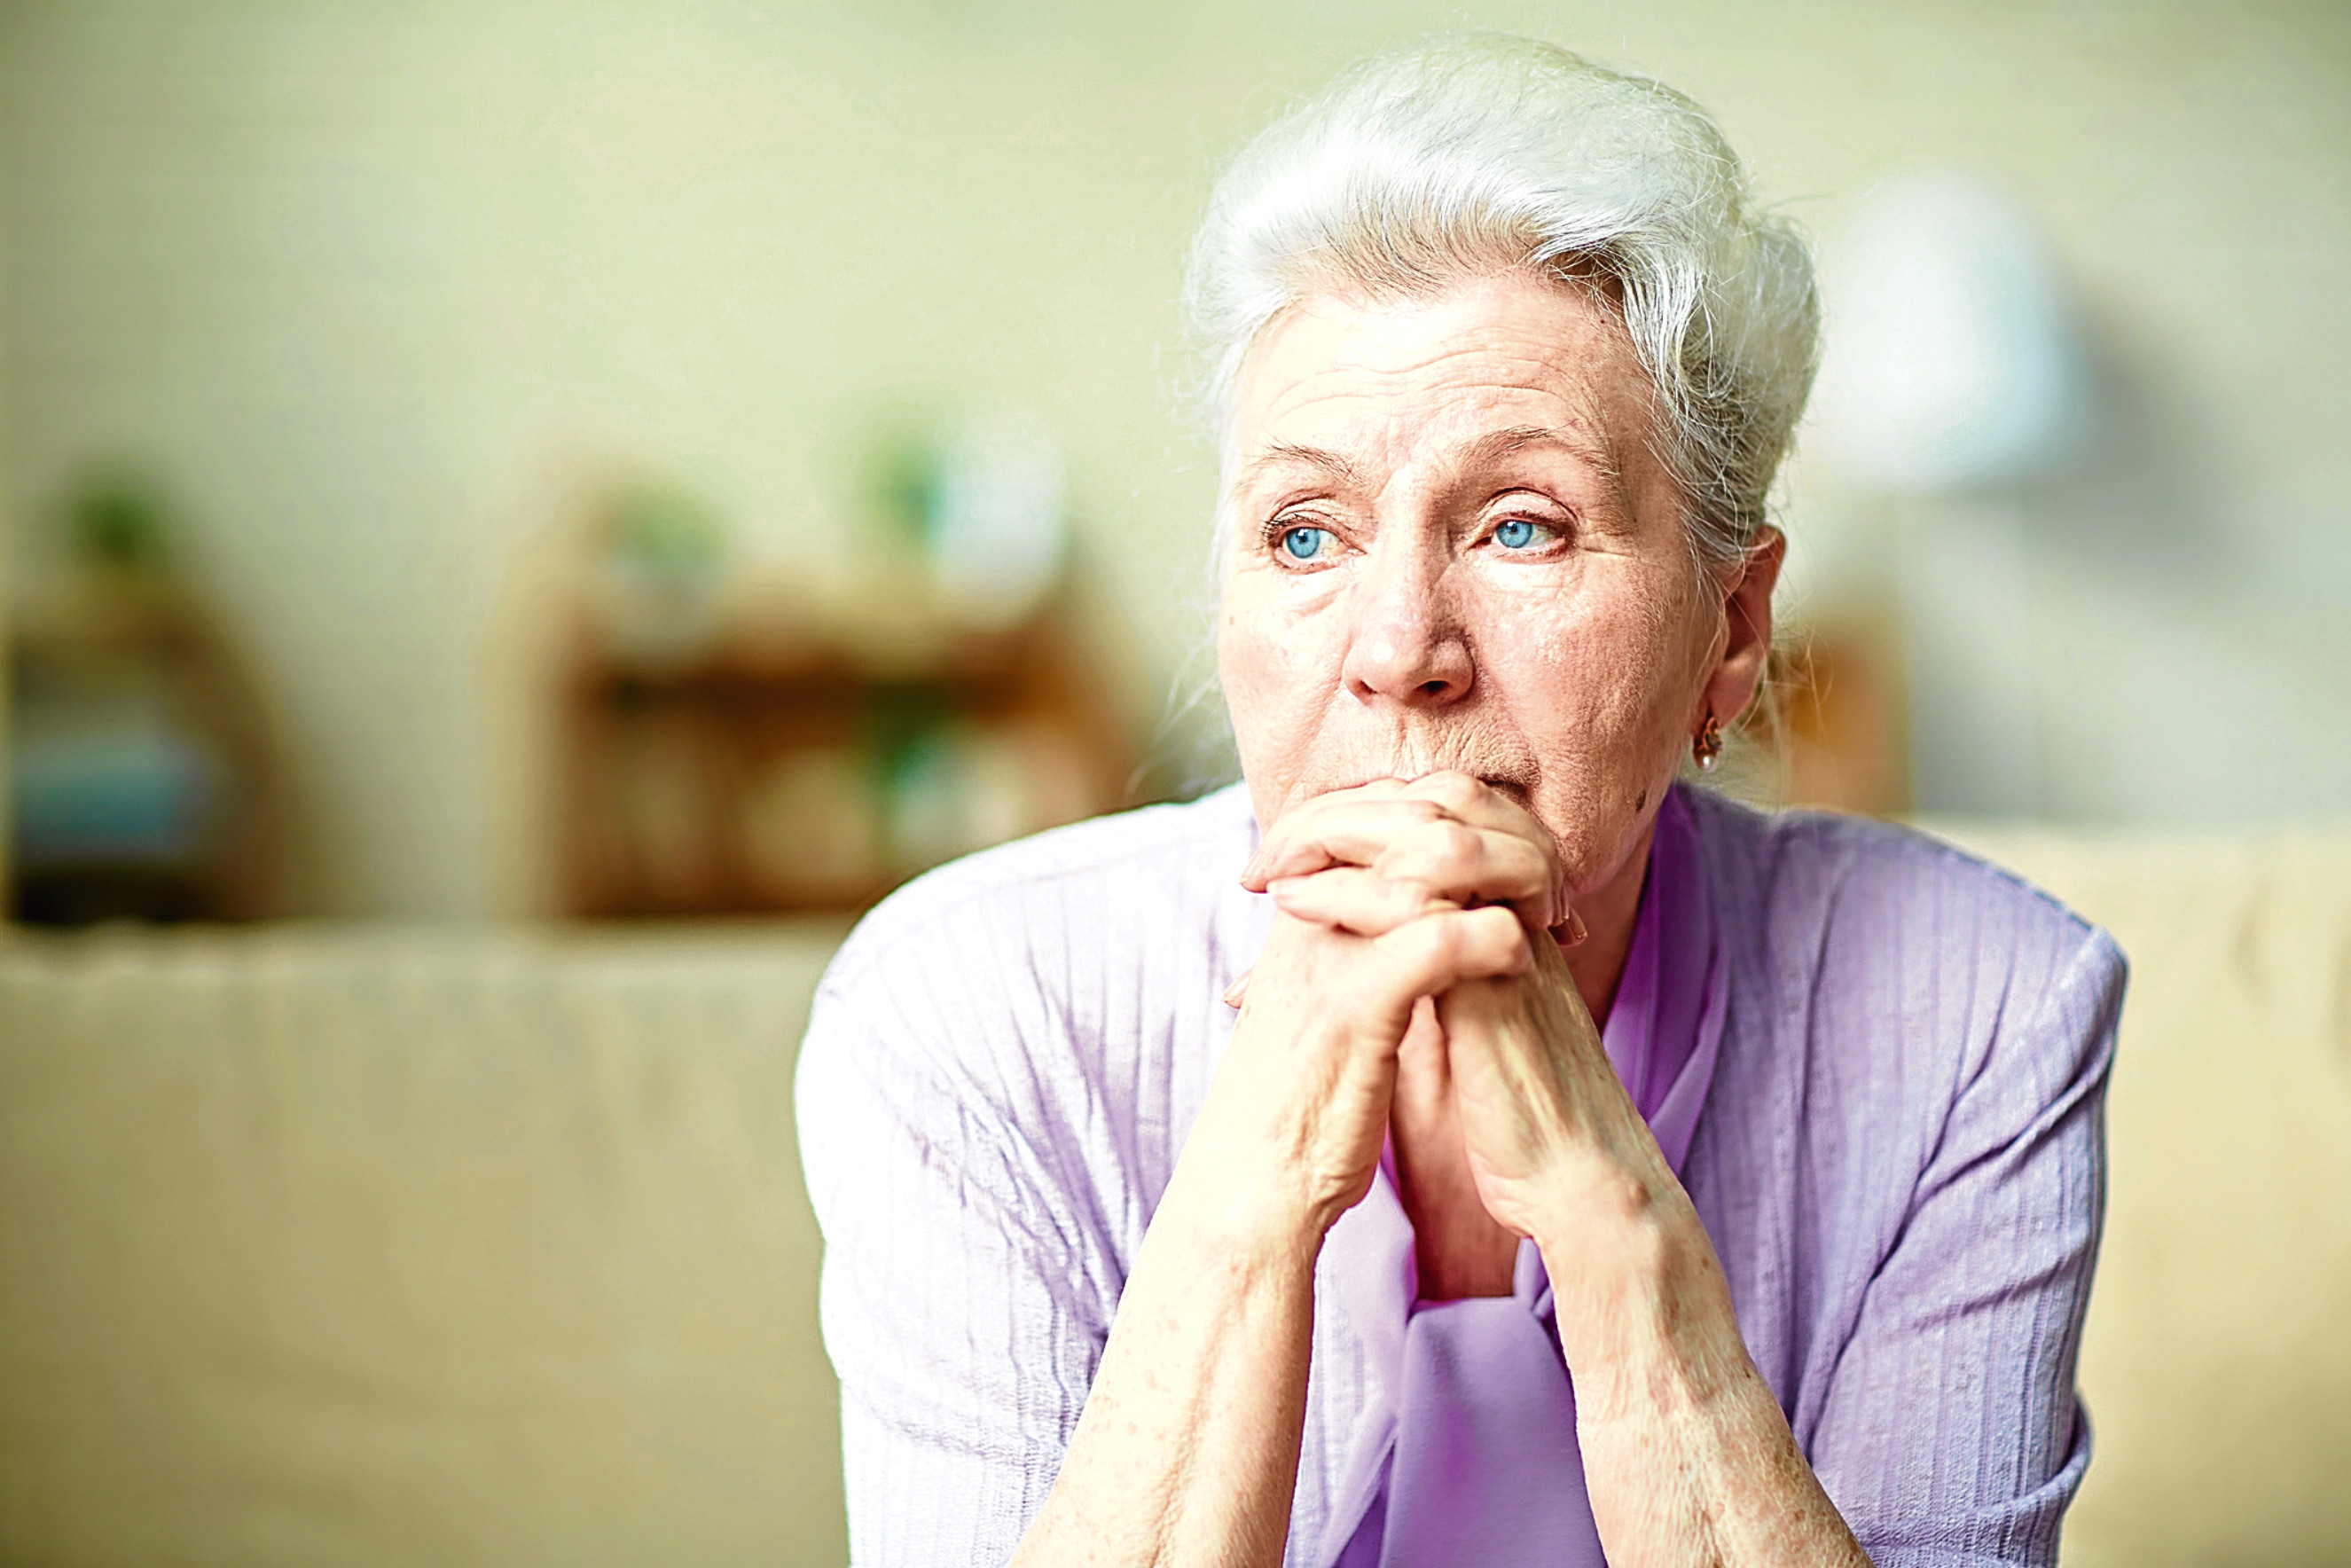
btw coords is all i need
(469, 464)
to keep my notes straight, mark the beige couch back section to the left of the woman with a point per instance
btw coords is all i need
(450, 1247)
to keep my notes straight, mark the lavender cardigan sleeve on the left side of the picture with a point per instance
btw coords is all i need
(963, 1296)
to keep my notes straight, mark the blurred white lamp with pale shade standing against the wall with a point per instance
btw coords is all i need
(1950, 375)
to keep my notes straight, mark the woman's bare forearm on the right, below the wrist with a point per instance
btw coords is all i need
(1689, 1459)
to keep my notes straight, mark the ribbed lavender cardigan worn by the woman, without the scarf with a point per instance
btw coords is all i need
(1901, 1162)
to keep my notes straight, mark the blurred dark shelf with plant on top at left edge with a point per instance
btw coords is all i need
(142, 775)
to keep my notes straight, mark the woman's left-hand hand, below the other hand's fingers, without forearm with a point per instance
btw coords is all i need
(1294, 1120)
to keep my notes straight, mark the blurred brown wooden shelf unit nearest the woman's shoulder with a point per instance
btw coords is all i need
(777, 775)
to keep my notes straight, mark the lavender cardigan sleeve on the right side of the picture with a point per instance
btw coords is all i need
(1953, 1435)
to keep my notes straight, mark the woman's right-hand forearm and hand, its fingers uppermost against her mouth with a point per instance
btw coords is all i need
(1560, 1153)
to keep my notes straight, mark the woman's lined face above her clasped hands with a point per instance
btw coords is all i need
(1572, 674)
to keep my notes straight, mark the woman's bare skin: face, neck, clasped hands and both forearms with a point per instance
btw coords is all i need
(1466, 648)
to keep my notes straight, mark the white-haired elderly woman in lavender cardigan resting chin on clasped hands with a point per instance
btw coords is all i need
(1463, 1141)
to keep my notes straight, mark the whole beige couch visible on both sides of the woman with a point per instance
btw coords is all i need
(490, 1247)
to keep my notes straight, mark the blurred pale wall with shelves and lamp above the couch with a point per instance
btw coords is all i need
(549, 408)
